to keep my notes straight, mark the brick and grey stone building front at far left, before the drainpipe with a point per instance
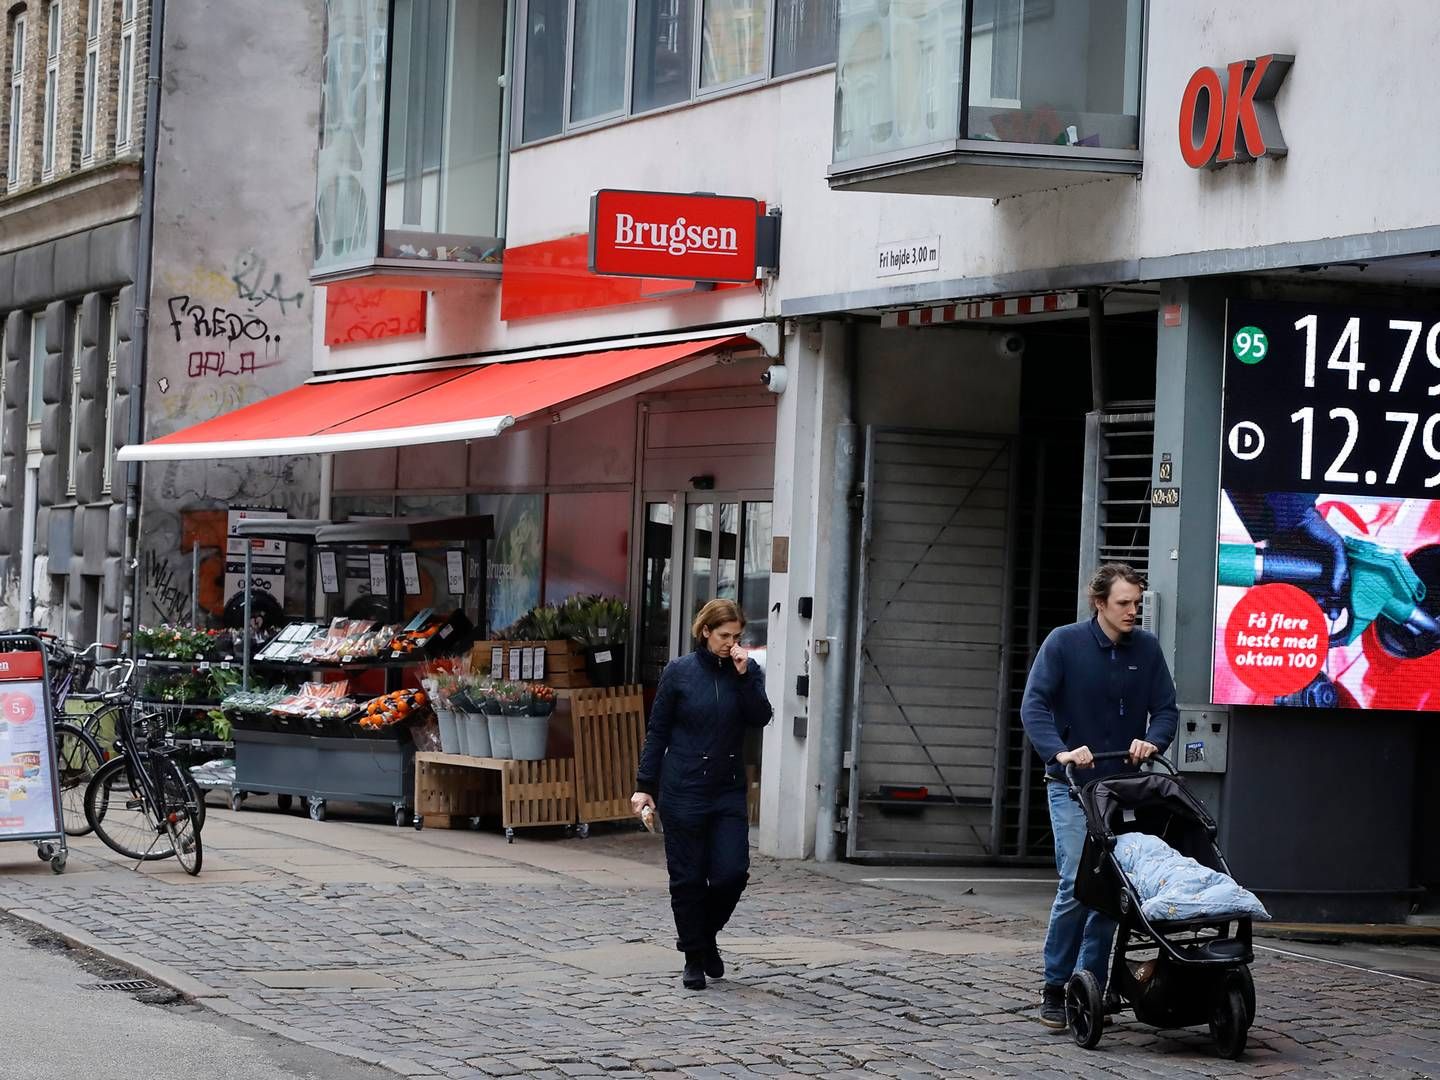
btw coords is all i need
(74, 117)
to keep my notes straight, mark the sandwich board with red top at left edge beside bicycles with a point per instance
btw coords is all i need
(30, 771)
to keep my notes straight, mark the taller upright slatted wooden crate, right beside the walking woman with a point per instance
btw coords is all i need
(610, 732)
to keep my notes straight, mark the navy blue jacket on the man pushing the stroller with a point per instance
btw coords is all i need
(1086, 690)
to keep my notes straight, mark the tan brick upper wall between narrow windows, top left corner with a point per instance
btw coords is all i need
(71, 90)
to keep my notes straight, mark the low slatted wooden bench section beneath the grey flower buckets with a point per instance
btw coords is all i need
(453, 790)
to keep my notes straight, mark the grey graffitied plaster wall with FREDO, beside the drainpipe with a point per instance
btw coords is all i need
(235, 194)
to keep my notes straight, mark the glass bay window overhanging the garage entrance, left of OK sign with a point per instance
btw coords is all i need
(1042, 78)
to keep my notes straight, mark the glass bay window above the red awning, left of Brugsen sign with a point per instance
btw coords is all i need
(411, 136)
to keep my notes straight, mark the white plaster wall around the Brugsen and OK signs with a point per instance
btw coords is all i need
(1354, 112)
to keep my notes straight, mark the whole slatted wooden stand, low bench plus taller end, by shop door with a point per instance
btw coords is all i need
(456, 791)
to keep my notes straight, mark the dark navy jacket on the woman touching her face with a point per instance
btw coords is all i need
(696, 737)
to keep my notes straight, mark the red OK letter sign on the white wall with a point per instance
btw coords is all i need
(1228, 116)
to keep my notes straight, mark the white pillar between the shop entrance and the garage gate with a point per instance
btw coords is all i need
(806, 428)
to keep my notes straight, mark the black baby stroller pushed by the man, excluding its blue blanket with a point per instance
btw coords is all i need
(1171, 974)
